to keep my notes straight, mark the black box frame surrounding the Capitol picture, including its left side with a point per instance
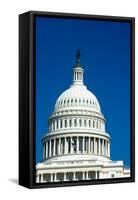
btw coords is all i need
(27, 99)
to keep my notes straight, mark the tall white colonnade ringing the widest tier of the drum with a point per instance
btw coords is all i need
(75, 145)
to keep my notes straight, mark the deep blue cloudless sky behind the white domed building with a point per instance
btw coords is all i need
(105, 56)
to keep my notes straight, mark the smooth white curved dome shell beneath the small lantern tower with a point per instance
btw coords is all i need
(77, 96)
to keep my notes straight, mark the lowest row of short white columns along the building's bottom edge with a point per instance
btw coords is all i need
(67, 176)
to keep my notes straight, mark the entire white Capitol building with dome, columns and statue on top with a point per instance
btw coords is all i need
(77, 146)
